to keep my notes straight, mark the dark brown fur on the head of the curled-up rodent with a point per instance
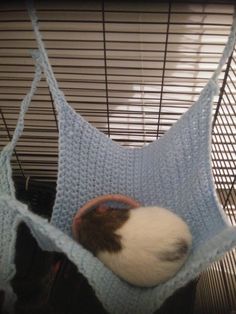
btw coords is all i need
(96, 230)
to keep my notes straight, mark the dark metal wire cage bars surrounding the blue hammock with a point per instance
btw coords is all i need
(131, 70)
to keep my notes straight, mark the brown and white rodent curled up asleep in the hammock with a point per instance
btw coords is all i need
(144, 246)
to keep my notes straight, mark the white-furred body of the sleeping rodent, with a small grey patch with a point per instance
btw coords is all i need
(155, 245)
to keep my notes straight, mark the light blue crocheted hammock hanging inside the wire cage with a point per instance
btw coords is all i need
(172, 172)
